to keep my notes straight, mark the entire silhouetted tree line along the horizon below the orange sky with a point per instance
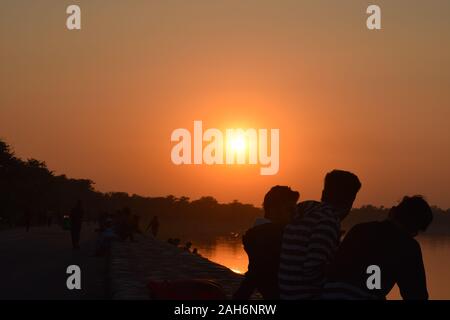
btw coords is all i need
(28, 185)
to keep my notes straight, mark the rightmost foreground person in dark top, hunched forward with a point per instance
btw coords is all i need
(391, 246)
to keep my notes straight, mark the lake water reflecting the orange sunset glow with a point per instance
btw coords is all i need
(228, 251)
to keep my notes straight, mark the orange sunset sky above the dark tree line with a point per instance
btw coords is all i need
(102, 102)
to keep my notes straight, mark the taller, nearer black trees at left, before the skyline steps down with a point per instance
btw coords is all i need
(28, 185)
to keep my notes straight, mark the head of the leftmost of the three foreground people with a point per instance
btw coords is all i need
(279, 204)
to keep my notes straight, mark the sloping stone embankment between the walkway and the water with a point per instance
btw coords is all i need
(133, 264)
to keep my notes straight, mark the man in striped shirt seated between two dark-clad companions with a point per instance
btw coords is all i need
(311, 239)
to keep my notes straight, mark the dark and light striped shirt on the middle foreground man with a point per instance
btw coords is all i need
(309, 244)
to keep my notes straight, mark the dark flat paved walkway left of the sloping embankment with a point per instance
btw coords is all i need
(33, 265)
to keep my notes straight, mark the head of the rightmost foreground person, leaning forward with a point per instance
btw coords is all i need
(413, 214)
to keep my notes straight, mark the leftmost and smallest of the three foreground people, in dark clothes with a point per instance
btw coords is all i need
(263, 243)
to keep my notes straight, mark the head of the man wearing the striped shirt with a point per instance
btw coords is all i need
(340, 190)
